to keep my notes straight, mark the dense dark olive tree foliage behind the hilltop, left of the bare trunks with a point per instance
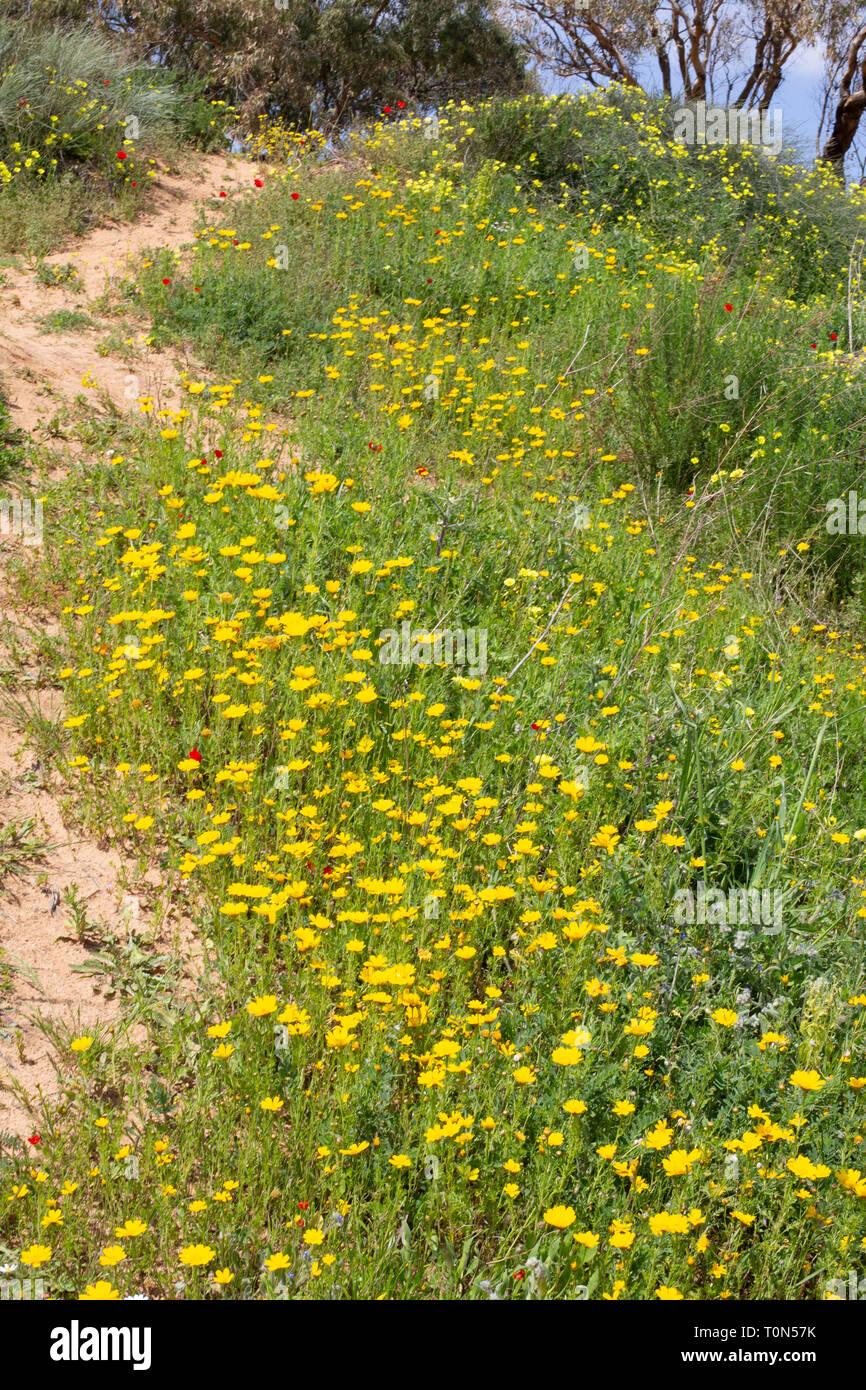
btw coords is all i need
(309, 62)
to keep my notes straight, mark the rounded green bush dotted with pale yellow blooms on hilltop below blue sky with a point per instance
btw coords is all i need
(616, 152)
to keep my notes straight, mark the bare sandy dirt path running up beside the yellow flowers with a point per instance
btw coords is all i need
(42, 376)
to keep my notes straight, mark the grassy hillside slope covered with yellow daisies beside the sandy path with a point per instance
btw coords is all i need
(451, 1014)
